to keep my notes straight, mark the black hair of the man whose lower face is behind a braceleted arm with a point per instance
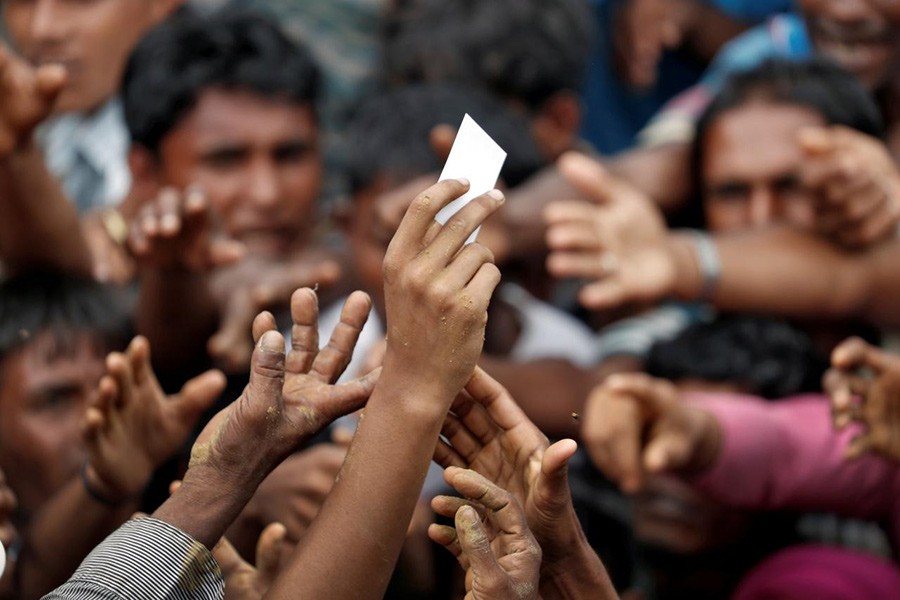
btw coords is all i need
(817, 83)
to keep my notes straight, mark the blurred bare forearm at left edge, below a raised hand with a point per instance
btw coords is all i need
(40, 227)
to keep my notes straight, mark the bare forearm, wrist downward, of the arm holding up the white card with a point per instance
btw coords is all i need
(361, 528)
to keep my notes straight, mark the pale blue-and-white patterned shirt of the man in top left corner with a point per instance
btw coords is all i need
(89, 155)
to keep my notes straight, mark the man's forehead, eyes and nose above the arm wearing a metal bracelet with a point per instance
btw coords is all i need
(751, 167)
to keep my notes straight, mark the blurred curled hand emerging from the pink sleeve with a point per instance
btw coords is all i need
(635, 424)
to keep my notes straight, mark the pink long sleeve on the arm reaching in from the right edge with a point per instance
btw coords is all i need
(787, 455)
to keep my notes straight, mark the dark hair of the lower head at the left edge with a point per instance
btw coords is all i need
(38, 302)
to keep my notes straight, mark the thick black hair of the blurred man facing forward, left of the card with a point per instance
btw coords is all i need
(189, 53)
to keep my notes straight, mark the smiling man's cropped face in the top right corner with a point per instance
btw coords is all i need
(863, 36)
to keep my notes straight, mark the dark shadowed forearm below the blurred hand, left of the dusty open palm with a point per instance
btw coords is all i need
(176, 313)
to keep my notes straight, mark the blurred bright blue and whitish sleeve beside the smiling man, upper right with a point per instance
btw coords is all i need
(784, 36)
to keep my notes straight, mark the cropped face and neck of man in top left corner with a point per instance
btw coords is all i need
(91, 38)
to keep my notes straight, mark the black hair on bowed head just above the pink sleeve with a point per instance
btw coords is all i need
(765, 356)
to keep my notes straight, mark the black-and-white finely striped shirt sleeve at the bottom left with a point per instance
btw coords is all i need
(145, 559)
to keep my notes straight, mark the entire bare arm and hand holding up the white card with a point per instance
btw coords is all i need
(436, 296)
